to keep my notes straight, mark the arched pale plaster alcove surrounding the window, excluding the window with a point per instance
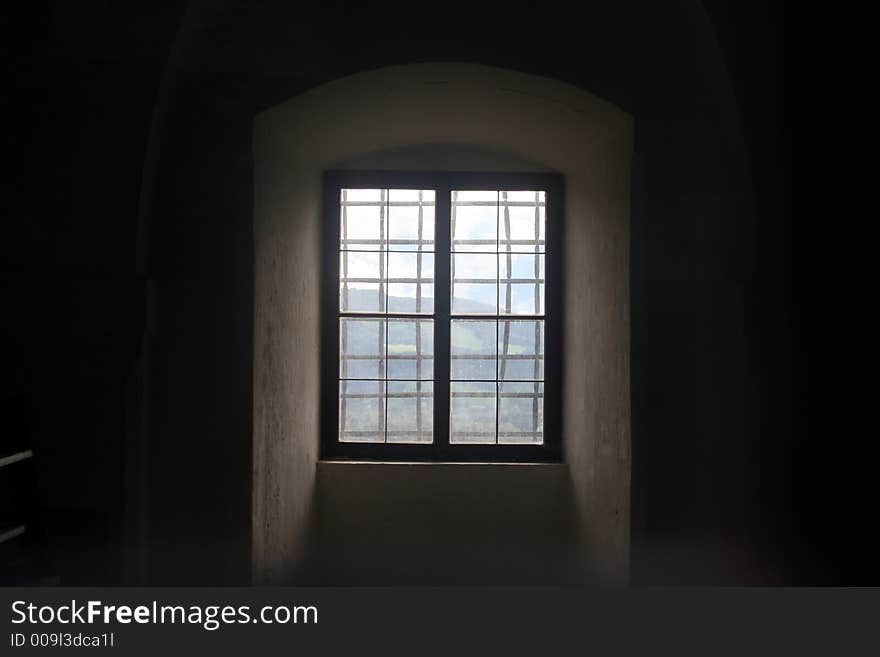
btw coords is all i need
(453, 117)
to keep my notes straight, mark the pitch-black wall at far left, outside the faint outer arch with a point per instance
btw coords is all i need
(80, 83)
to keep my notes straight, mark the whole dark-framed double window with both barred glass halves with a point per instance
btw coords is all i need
(441, 316)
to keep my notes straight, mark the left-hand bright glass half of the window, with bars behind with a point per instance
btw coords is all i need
(386, 326)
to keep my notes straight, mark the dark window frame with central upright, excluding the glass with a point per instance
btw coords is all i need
(441, 450)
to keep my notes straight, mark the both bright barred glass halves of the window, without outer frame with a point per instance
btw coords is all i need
(386, 288)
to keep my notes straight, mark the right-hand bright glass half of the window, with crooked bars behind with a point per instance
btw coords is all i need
(497, 308)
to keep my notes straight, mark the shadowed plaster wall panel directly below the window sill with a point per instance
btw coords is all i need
(449, 524)
